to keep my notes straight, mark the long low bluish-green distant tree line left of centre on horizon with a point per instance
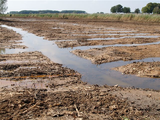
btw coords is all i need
(47, 12)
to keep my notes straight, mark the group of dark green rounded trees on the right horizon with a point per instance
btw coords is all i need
(149, 8)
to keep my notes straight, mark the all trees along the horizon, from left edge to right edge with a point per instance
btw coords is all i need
(149, 8)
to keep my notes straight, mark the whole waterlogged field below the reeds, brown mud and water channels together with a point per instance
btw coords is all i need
(41, 88)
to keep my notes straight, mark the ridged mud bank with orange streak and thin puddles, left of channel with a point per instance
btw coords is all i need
(31, 65)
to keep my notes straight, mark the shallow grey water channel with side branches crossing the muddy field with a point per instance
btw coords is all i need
(91, 73)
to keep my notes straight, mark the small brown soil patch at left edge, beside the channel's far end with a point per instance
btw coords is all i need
(10, 39)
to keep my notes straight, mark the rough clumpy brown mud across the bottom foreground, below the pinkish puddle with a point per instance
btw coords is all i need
(76, 100)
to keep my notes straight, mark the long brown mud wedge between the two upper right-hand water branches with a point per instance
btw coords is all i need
(110, 54)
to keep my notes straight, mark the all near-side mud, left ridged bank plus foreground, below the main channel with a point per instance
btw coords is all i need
(64, 95)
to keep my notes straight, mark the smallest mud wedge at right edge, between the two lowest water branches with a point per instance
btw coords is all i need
(142, 69)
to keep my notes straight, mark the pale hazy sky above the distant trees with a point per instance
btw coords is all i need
(90, 6)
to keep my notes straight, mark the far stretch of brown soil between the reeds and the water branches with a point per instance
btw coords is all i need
(60, 29)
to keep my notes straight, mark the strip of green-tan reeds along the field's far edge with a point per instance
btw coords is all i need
(115, 17)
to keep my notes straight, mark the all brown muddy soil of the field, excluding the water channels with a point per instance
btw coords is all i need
(62, 94)
